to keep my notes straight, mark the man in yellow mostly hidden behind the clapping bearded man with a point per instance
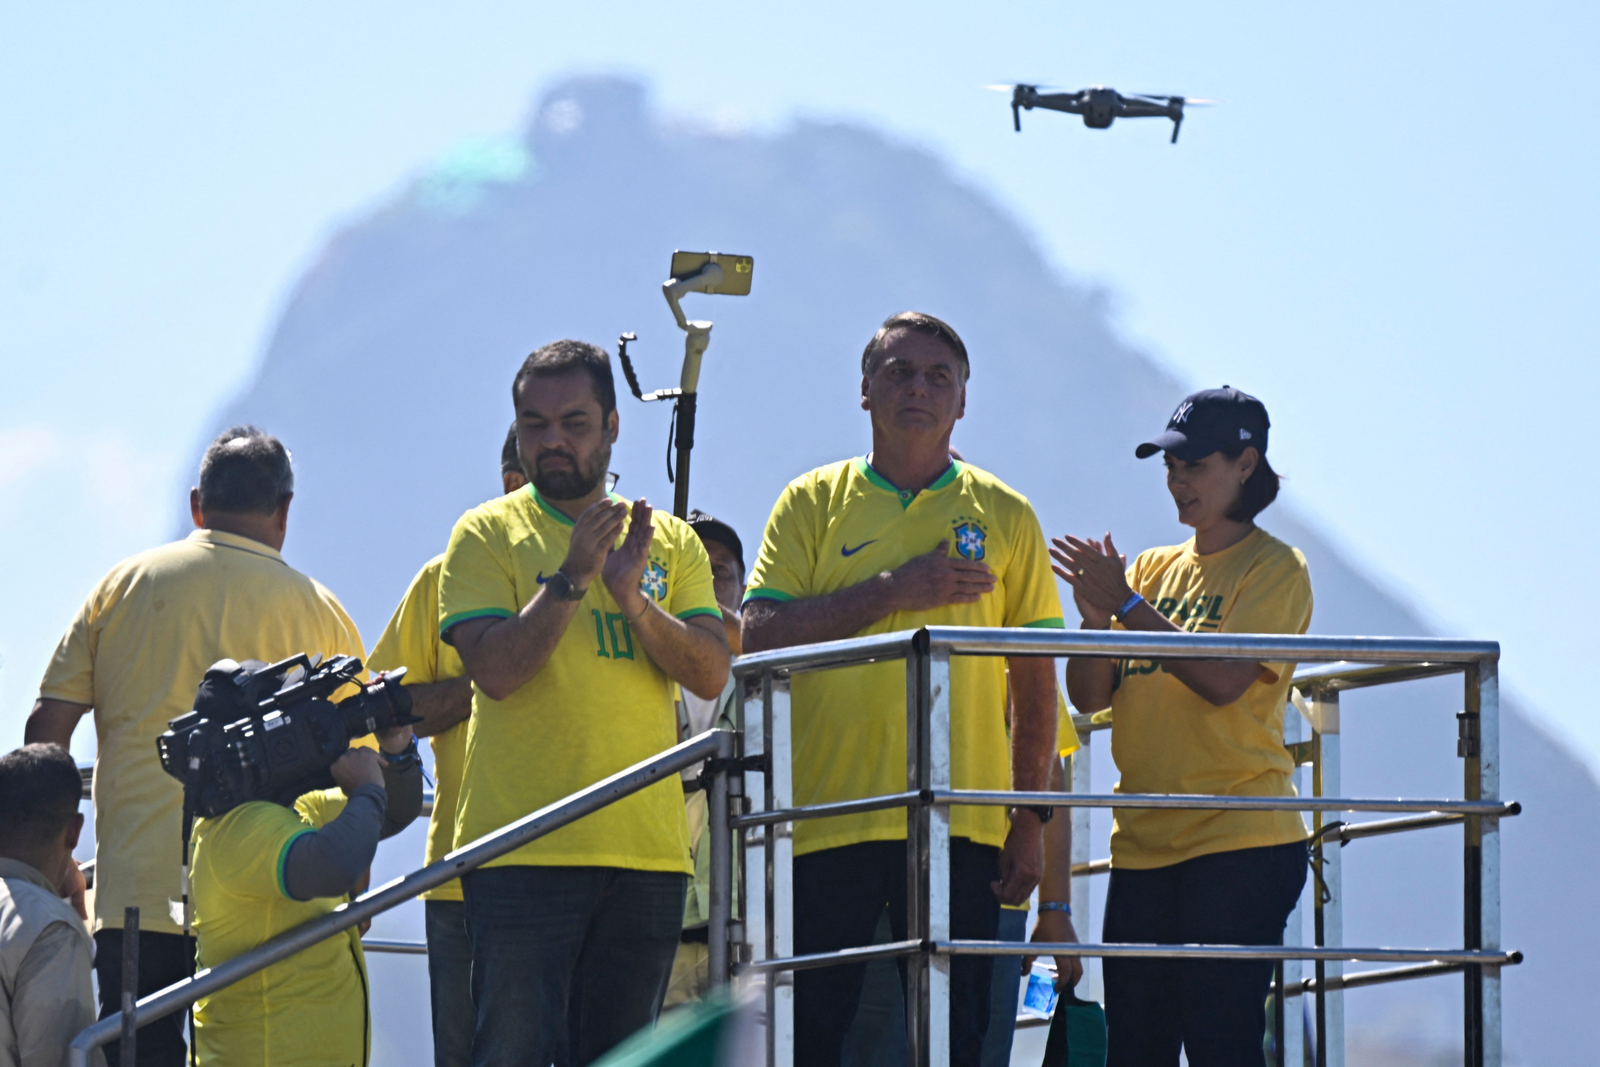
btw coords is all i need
(442, 698)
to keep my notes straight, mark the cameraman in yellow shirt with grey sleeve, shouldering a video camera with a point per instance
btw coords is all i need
(273, 865)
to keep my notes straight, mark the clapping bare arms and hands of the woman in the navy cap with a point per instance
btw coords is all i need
(1097, 575)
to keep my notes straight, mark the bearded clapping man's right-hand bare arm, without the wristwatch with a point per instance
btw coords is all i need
(690, 652)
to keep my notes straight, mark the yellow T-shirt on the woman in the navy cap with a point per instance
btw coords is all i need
(1169, 740)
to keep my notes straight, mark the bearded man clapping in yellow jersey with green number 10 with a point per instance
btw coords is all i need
(574, 613)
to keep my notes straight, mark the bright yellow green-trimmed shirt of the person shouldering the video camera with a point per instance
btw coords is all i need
(306, 1012)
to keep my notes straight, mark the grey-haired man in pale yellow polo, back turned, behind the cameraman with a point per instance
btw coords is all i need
(135, 655)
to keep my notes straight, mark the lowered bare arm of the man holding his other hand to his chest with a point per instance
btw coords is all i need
(1033, 743)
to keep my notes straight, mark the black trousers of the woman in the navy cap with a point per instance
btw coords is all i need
(1214, 1009)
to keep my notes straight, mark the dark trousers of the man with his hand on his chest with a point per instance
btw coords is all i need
(839, 897)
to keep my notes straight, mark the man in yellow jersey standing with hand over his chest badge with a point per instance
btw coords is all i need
(898, 540)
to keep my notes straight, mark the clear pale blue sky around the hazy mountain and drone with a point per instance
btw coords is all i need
(1388, 231)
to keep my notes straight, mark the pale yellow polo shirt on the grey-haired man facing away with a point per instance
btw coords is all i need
(137, 652)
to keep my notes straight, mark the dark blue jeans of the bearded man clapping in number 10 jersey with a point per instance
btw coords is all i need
(567, 962)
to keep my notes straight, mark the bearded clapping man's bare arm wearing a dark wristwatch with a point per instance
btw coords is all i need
(502, 655)
